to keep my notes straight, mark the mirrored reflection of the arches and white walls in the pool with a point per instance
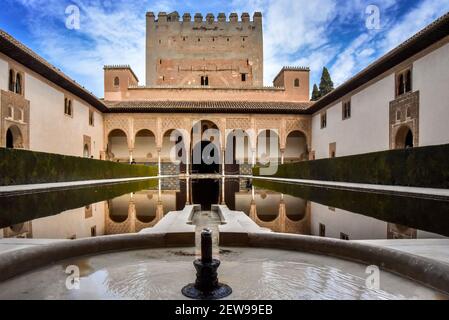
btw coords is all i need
(134, 211)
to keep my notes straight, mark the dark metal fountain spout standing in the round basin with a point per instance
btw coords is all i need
(206, 286)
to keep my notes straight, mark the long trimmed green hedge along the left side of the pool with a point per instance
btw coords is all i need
(29, 167)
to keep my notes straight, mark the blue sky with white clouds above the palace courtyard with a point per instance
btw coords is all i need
(318, 33)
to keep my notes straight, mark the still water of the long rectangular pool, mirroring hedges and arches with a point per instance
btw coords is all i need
(287, 208)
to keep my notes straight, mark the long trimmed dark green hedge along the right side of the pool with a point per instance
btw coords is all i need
(419, 167)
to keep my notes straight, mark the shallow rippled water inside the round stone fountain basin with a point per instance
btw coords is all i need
(253, 273)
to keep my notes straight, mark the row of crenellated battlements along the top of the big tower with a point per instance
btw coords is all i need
(210, 18)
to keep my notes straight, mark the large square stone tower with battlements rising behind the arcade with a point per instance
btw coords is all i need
(204, 52)
